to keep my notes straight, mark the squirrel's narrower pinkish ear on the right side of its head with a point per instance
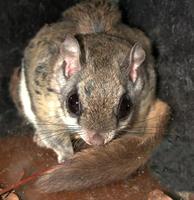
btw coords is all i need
(136, 58)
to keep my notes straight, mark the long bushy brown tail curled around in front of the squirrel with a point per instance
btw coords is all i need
(113, 162)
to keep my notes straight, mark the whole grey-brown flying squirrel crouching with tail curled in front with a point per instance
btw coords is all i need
(91, 77)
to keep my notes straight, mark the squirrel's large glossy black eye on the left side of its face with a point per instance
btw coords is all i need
(73, 104)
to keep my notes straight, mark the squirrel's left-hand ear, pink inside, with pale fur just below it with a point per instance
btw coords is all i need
(67, 64)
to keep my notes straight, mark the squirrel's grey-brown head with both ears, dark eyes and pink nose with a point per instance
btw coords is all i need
(99, 79)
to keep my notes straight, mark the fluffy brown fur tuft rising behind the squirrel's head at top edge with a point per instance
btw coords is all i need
(94, 16)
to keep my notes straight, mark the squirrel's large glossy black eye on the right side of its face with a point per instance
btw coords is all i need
(124, 107)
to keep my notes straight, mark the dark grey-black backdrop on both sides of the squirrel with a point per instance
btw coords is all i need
(169, 24)
